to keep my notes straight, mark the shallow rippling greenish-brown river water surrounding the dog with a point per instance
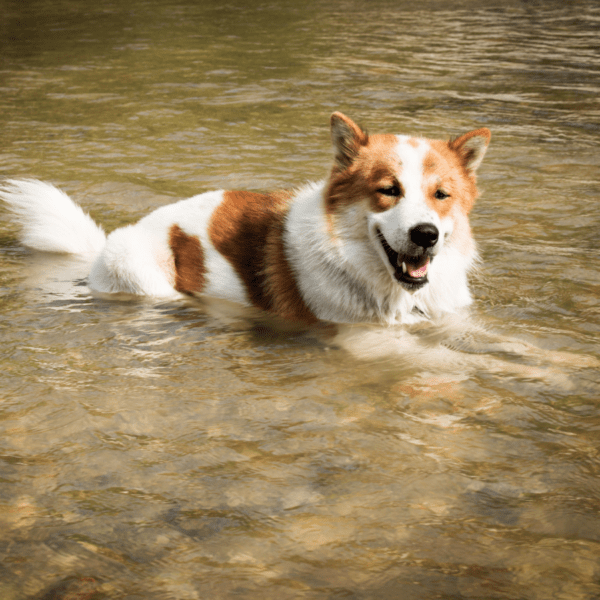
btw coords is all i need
(194, 450)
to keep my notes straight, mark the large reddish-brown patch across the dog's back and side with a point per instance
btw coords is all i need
(247, 229)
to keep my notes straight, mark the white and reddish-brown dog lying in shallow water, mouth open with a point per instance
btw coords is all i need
(384, 239)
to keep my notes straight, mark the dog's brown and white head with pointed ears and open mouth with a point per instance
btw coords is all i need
(409, 197)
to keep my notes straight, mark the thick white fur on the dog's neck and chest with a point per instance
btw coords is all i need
(339, 289)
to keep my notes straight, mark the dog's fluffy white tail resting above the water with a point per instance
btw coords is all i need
(50, 221)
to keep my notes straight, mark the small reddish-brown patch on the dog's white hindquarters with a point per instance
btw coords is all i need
(188, 257)
